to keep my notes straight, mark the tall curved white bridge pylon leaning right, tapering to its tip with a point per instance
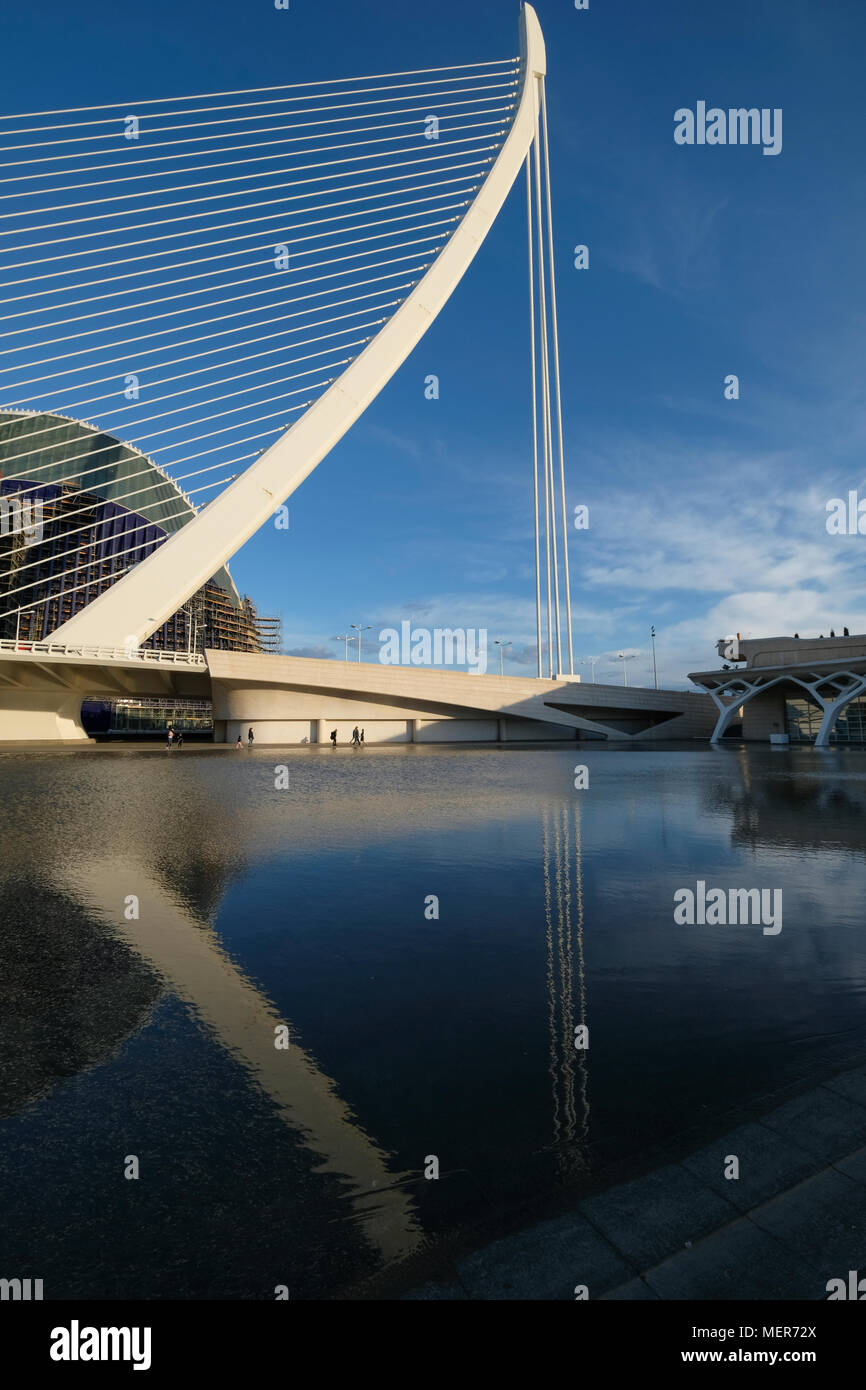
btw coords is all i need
(156, 589)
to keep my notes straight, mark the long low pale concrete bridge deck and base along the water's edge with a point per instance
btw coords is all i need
(297, 701)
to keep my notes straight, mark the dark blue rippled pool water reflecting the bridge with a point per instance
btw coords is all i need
(165, 914)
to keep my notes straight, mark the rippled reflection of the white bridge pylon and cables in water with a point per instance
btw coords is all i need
(126, 883)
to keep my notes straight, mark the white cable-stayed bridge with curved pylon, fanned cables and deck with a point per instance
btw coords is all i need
(226, 283)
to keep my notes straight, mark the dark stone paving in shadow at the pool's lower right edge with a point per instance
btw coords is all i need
(793, 1220)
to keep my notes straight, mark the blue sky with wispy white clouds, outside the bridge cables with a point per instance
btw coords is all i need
(708, 516)
